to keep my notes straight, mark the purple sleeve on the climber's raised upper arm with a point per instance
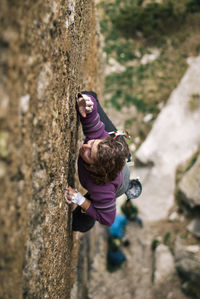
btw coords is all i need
(93, 127)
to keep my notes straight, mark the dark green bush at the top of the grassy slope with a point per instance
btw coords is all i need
(154, 20)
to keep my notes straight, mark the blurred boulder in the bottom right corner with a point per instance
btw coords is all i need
(187, 261)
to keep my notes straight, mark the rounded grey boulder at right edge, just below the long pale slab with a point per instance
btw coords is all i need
(189, 186)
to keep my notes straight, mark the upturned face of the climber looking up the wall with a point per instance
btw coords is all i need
(88, 151)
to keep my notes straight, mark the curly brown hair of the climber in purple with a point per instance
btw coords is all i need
(110, 160)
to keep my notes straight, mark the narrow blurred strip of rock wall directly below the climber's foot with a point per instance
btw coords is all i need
(91, 262)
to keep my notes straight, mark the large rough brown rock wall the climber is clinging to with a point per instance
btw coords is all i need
(49, 51)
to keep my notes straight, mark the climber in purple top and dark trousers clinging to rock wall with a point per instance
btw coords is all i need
(102, 167)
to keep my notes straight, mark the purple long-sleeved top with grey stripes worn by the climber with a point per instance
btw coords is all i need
(103, 197)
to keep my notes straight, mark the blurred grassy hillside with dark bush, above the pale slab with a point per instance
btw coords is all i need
(134, 28)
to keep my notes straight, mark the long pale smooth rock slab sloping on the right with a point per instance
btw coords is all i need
(173, 139)
